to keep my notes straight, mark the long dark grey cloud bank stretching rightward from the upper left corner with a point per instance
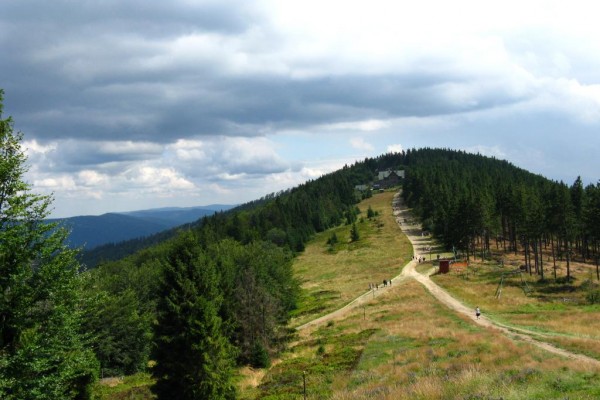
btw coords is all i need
(101, 71)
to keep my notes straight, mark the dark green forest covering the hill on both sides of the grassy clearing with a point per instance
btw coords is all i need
(236, 265)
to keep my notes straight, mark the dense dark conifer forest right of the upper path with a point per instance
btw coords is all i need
(474, 202)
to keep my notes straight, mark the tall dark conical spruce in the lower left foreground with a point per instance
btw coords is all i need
(194, 359)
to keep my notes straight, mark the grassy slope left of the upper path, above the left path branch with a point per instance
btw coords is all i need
(332, 277)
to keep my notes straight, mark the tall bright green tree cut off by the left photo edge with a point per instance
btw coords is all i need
(42, 352)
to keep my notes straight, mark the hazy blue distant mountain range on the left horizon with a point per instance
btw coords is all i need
(93, 231)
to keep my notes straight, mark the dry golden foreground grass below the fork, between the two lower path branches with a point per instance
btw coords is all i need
(420, 350)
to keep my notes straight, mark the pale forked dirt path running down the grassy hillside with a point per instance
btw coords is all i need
(419, 241)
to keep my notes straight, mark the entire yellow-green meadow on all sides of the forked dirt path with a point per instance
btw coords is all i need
(404, 344)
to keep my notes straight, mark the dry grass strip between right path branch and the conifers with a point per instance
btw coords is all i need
(556, 310)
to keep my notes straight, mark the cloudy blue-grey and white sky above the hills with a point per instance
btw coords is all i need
(135, 104)
